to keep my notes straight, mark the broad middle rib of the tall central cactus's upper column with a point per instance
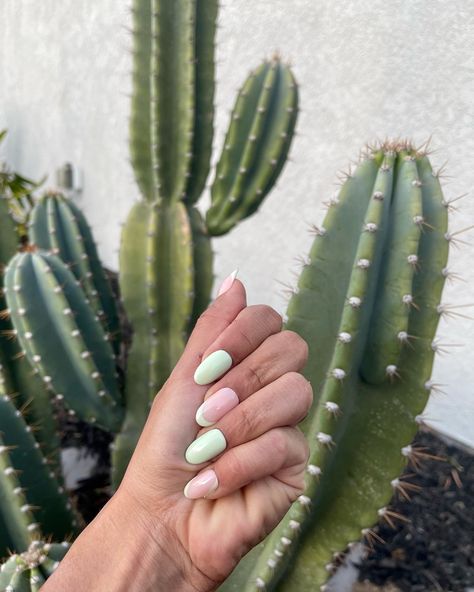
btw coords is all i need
(172, 94)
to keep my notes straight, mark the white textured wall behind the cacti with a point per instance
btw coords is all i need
(367, 68)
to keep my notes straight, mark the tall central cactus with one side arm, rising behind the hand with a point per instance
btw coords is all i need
(165, 254)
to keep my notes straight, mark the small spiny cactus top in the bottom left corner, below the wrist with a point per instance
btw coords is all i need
(28, 571)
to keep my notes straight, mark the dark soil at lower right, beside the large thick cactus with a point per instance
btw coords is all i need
(434, 550)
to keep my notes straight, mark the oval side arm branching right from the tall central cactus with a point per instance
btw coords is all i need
(256, 145)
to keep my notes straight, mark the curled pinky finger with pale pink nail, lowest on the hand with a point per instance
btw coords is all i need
(280, 452)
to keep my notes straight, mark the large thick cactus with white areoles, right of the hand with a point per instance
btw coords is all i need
(368, 304)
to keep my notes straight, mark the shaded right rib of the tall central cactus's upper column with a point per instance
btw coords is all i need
(204, 85)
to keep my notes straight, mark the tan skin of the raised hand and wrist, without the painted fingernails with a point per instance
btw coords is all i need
(150, 537)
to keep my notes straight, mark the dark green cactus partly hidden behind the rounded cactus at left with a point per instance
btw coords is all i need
(59, 226)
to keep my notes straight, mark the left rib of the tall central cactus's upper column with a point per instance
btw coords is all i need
(140, 118)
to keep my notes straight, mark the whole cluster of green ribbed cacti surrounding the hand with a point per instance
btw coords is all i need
(367, 303)
